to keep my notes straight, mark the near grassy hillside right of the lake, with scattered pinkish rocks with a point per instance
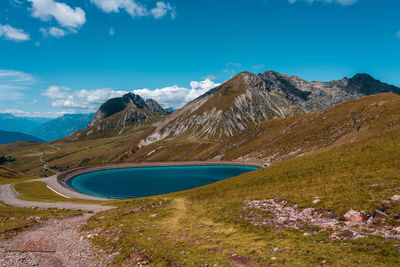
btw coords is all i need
(334, 207)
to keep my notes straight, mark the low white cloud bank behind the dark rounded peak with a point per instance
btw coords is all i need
(89, 100)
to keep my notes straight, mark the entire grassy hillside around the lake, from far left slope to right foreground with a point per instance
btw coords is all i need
(329, 198)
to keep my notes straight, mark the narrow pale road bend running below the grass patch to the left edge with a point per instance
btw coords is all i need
(10, 197)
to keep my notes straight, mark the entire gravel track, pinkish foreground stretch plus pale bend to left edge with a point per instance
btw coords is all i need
(55, 242)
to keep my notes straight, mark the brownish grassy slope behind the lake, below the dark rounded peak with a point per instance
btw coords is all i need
(65, 154)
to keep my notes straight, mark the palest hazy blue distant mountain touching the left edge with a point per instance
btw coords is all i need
(9, 122)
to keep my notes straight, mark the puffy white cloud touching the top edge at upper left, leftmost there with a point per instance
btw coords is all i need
(65, 15)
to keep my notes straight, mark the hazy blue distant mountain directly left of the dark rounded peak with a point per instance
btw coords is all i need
(61, 127)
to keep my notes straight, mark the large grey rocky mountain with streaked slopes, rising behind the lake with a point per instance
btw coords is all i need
(248, 99)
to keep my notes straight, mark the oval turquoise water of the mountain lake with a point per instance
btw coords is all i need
(141, 182)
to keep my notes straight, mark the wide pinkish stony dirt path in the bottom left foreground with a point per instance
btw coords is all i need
(56, 242)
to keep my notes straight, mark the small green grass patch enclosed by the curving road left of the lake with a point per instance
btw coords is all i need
(38, 191)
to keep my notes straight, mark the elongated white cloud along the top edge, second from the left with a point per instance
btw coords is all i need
(135, 9)
